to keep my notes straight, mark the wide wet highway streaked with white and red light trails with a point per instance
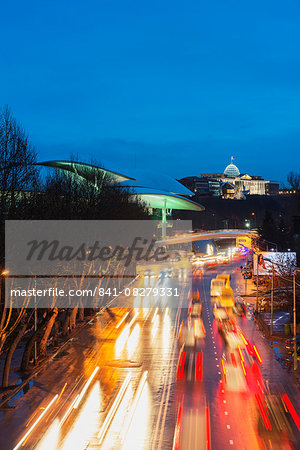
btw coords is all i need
(127, 382)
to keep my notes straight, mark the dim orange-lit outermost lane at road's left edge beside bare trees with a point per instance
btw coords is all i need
(61, 377)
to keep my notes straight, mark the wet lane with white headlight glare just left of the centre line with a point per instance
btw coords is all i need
(159, 348)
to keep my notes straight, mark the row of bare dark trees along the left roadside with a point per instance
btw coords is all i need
(27, 194)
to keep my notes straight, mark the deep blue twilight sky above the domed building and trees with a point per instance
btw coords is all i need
(176, 86)
